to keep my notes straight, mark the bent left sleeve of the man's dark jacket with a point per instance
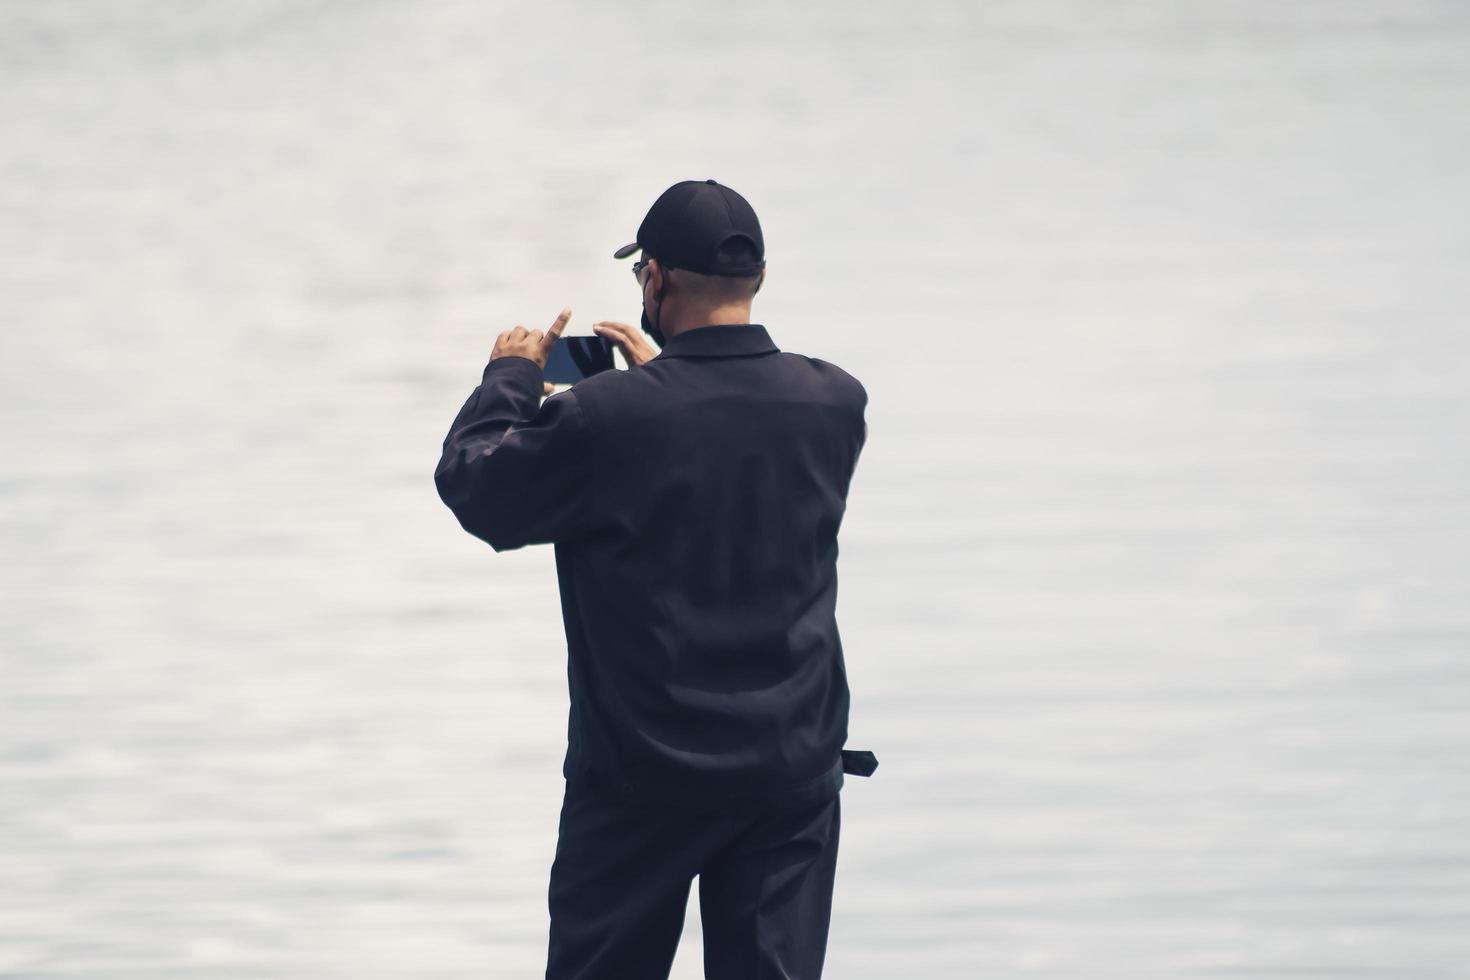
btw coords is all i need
(514, 474)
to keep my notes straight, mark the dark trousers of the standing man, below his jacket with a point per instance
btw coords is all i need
(621, 885)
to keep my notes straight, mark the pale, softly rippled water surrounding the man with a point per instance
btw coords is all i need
(1155, 586)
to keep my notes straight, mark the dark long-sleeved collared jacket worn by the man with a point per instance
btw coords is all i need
(695, 505)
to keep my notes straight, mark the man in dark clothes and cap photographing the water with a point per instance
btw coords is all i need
(695, 503)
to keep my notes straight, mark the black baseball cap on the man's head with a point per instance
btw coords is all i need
(692, 221)
